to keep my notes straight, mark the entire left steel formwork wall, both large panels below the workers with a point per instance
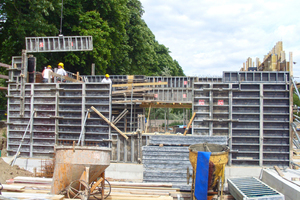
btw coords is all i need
(58, 118)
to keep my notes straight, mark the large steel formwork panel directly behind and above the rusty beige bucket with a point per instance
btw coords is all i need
(73, 102)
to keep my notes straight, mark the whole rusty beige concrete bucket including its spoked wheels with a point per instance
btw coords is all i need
(80, 172)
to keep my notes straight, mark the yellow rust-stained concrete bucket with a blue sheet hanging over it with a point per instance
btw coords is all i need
(218, 160)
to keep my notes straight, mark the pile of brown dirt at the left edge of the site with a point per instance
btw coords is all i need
(6, 171)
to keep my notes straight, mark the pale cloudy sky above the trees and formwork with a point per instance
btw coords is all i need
(208, 37)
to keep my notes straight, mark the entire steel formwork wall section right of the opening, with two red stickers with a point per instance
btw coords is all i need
(253, 110)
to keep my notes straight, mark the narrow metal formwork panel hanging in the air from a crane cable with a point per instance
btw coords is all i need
(59, 44)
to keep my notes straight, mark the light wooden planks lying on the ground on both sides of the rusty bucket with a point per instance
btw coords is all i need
(33, 187)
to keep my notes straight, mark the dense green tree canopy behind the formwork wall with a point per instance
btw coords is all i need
(123, 44)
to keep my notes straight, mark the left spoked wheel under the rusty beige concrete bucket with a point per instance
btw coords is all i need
(78, 189)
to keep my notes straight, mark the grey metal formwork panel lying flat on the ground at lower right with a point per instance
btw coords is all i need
(251, 188)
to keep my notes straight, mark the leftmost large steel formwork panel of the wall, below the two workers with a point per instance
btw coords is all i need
(40, 137)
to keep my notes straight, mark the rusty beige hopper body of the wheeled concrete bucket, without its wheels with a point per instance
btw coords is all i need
(71, 162)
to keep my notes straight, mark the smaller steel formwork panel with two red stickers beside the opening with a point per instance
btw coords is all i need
(211, 104)
